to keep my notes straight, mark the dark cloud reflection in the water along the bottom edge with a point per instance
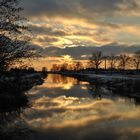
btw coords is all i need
(88, 132)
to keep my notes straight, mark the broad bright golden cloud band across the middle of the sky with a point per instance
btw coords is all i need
(69, 34)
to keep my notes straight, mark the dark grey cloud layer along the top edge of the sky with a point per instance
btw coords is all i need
(78, 8)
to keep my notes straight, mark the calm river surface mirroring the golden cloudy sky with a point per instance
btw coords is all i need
(64, 108)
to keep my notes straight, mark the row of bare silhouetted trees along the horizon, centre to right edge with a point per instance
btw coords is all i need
(98, 61)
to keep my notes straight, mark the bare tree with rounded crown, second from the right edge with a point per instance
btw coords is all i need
(124, 59)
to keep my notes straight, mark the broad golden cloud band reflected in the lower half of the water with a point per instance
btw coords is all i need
(75, 111)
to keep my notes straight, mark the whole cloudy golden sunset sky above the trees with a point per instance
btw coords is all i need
(73, 29)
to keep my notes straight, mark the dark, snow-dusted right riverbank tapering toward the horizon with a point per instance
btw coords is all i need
(123, 85)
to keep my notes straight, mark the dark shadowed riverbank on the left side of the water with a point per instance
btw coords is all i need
(13, 88)
